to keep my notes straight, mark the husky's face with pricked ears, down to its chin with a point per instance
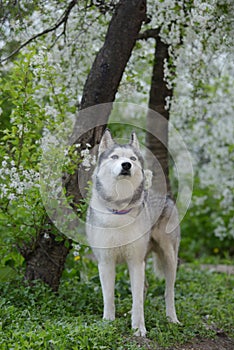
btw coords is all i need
(120, 161)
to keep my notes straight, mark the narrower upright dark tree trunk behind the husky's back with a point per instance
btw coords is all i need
(157, 123)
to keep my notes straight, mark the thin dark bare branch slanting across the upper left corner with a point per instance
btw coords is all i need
(63, 19)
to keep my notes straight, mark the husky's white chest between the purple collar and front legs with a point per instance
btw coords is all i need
(118, 236)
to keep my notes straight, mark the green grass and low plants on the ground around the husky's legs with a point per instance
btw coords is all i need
(36, 318)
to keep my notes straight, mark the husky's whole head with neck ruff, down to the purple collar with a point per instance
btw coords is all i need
(119, 178)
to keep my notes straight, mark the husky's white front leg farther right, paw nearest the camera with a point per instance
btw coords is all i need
(137, 276)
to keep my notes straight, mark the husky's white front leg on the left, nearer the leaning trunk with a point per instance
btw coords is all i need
(107, 278)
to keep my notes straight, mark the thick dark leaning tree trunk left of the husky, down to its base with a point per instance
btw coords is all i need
(46, 259)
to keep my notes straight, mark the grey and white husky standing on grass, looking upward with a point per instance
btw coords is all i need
(124, 223)
